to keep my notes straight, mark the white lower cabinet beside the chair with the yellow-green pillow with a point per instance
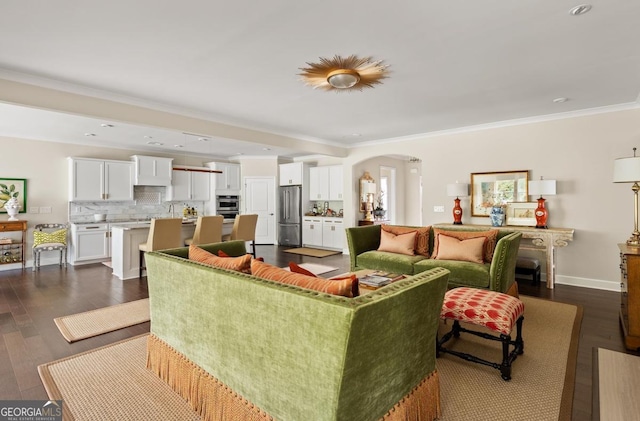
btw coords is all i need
(89, 243)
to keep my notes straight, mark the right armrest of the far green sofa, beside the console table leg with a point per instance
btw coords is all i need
(503, 265)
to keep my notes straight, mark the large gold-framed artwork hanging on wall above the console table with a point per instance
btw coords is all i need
(490, 189)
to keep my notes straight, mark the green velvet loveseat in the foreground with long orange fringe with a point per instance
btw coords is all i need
(239, 347)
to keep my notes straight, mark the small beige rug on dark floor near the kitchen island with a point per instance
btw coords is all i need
(103, 320)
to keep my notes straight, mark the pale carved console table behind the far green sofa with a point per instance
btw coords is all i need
(545, 240)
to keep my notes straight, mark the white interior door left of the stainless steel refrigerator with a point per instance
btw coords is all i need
(260, 198)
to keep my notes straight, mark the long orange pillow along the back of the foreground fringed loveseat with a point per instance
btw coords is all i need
(266, 271)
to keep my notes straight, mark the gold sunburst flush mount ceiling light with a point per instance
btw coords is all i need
(344, 74)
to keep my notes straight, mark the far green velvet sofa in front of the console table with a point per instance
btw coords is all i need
(499, 275)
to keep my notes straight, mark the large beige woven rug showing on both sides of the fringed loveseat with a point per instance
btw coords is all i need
(113, 383)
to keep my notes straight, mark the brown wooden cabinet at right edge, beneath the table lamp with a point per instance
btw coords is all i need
(630, 295)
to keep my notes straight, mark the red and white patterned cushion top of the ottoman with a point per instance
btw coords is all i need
(494, 310)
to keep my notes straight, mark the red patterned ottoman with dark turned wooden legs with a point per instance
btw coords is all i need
(493, 310)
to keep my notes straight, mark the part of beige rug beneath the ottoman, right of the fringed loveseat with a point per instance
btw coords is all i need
(542, 379)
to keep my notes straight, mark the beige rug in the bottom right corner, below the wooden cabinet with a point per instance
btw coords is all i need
(618, 386)
